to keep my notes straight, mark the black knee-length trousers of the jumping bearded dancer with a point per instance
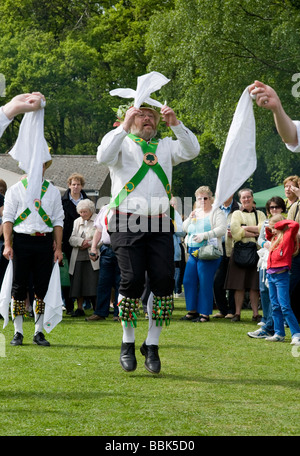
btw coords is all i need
(144, 250)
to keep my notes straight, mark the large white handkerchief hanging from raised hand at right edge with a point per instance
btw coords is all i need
(238, 161)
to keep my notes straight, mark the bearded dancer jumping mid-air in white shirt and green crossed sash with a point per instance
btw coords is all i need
(139, 219)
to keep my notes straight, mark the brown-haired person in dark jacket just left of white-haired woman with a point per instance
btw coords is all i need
(70, 199)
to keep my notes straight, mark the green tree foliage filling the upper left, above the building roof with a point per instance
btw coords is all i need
(74, 52)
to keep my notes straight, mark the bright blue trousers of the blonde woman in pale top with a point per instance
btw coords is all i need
(198, 284)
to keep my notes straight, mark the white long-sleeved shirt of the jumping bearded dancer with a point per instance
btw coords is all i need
(124, 158)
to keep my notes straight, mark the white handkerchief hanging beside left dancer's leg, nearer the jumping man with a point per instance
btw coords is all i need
(53, 300)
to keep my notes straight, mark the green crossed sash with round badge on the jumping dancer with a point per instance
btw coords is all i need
(150, 161)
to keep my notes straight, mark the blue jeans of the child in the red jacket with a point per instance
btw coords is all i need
(280, 301)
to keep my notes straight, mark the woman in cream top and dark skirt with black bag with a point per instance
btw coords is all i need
(245, 226)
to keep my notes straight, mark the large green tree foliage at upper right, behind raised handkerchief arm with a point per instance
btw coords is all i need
(212, 50)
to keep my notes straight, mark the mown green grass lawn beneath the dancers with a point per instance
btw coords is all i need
(215, 381)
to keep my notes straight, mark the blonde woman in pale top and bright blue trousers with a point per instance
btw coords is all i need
(203, 226)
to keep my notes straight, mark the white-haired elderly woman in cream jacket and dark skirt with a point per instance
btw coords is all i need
(83, 271)
